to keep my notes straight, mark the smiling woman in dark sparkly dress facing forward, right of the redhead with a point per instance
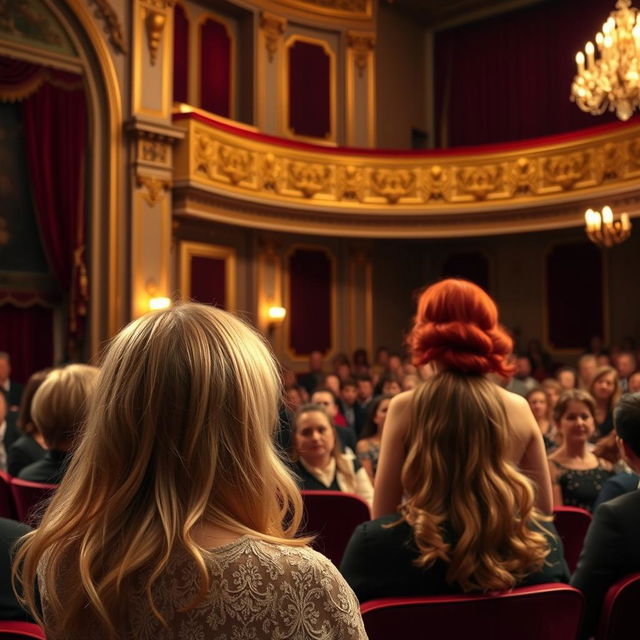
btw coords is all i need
(577, 474)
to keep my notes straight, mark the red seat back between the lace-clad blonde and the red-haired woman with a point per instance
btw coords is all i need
(333, 516)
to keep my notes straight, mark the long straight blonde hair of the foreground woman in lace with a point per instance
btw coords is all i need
(179, 433)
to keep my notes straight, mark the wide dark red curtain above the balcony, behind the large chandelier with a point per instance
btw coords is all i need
(509, 77)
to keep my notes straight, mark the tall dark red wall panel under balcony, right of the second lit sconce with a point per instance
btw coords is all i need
(310, 278)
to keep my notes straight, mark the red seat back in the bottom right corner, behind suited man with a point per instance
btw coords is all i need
(619, 615)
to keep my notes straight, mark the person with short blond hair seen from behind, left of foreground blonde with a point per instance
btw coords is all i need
(58, 410)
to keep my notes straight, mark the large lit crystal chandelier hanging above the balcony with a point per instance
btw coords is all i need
(611, 80)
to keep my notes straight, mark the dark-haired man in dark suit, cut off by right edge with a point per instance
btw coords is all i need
(611, 549)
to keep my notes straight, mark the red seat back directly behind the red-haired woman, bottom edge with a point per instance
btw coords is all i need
(543, 612)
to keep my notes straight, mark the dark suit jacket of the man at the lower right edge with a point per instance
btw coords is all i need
(611, 551)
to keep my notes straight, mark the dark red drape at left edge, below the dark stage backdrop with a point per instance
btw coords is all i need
(27, 335)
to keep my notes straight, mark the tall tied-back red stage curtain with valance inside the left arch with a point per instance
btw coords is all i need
(54, 116)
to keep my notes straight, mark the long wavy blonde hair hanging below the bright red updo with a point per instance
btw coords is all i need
(456, 473)
